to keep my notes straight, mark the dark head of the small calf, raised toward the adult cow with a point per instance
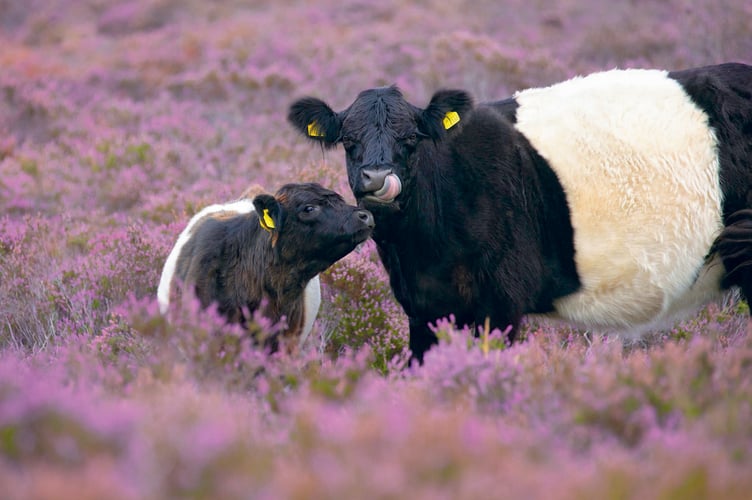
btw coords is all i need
(311, 227)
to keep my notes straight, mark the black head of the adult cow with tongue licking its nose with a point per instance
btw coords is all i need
(381, 133)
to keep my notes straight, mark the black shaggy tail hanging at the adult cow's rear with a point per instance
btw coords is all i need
(734, 247)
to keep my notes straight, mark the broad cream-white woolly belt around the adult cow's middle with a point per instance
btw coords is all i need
(638, 163)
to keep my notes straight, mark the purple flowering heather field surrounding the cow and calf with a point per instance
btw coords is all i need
(120, 120)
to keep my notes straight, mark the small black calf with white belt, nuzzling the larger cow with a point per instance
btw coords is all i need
(266, 251)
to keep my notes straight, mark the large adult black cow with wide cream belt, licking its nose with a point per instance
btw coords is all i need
(615, 200)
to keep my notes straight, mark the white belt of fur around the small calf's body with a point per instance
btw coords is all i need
(312, 292)
